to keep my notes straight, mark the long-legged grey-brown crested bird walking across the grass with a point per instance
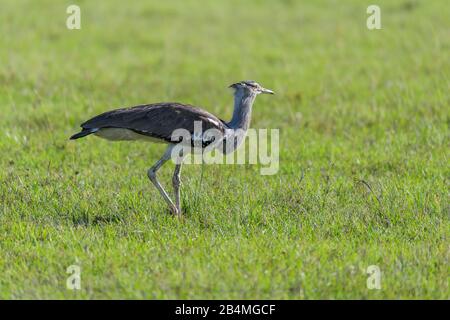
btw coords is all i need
(158, 121)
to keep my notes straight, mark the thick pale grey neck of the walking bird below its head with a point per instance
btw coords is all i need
(243, 102)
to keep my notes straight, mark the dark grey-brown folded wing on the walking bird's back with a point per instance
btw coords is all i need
(156, 120)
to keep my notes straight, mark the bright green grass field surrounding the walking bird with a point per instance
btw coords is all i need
(363, 178)
